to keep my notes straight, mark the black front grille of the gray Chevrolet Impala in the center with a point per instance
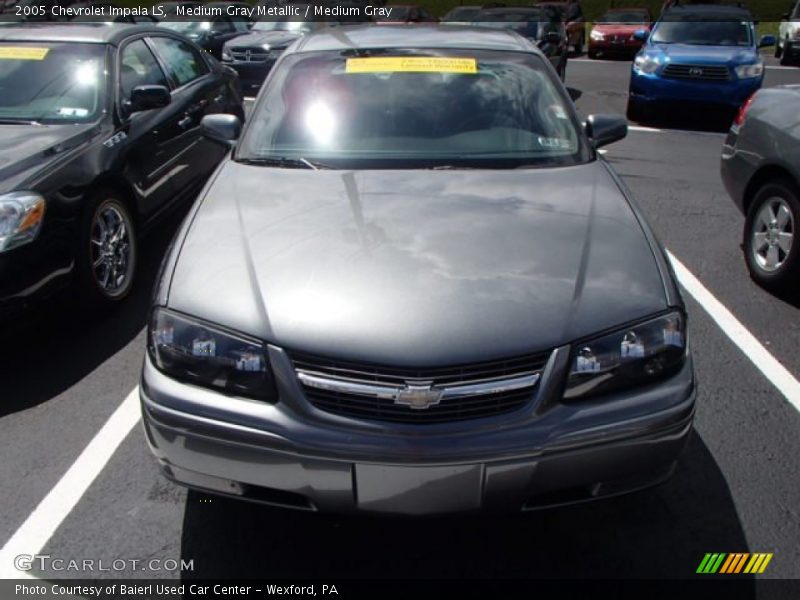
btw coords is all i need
(449, 409)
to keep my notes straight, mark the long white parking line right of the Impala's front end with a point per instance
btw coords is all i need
(773, 370)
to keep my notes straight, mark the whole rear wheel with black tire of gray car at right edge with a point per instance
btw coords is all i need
(785, 275)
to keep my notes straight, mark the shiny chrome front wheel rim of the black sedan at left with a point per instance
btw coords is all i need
(111, 246)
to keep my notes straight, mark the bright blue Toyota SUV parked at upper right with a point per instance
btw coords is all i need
(706, 55)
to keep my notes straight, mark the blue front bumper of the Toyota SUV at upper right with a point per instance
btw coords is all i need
(653, 89)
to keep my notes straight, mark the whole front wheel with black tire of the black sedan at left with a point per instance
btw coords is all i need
(107, 253)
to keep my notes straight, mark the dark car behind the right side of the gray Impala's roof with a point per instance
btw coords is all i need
(541, 25)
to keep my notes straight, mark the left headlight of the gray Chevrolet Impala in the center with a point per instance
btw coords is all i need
(198, 353)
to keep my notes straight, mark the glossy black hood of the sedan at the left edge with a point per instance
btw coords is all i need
(23, 147)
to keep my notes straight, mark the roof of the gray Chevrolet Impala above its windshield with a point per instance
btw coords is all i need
(413, 36)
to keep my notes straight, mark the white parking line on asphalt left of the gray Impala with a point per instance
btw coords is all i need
(42, 523)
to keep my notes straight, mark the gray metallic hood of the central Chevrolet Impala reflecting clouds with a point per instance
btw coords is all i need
(416, 267)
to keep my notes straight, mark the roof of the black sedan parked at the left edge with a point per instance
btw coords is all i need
(91, 33)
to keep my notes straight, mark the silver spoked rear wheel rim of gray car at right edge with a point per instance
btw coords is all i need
(772, 234)
